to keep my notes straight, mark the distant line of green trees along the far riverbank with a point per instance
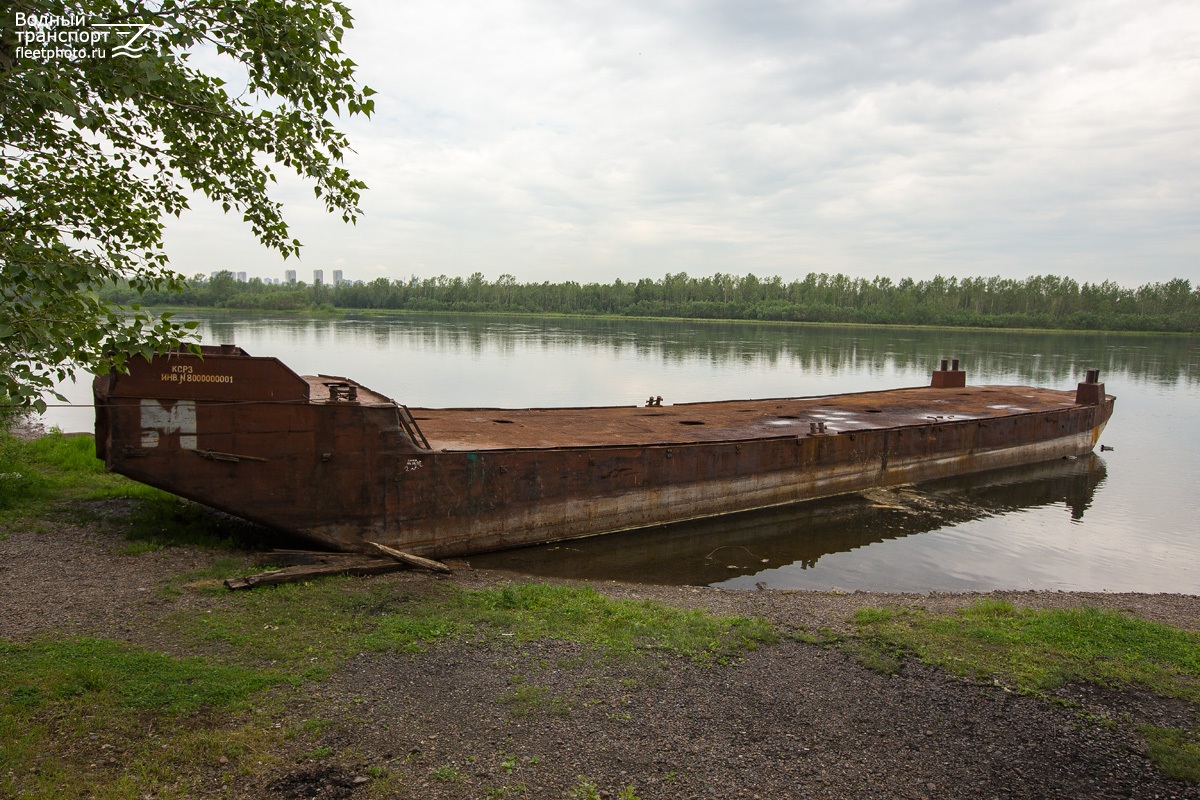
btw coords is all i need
(1039, 302)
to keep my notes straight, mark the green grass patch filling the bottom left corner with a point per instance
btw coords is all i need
(117, 721)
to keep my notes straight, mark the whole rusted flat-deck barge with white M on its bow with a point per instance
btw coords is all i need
(339, 465)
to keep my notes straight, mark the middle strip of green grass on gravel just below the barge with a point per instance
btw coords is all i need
(307, 629)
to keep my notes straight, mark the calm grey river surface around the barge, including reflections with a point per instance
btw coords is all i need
(1120, 521)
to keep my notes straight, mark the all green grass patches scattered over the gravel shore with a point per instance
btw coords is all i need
(230, 697)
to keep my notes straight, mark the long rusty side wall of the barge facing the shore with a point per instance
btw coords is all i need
(692, 482)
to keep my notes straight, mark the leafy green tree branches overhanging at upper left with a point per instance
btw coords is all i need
(97, 149)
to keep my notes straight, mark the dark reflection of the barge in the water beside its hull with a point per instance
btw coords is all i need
(747, 549)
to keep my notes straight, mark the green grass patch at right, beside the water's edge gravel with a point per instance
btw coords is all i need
(1040, 651)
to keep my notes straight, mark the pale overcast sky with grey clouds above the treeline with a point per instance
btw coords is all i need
(593, 141)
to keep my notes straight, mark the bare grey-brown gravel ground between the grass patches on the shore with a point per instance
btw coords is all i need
(548, 719)
